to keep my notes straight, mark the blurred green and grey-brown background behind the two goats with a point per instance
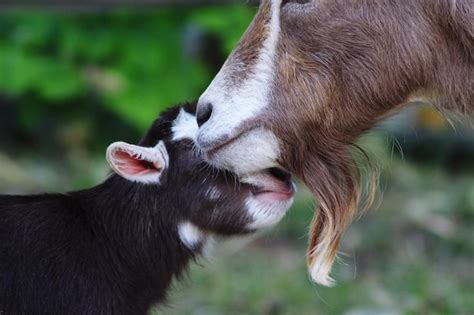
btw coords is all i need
(73, 81)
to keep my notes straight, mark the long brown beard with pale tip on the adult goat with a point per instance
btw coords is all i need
(335, 179)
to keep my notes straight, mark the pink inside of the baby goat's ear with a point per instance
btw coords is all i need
(134, 166)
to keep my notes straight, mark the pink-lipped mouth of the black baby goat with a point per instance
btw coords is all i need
(273, 184)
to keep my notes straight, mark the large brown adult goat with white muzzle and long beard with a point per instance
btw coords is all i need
(309, 77)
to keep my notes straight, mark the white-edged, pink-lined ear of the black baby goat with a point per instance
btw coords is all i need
(138, 164)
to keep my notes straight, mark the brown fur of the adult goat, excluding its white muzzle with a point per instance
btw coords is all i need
(345, 64)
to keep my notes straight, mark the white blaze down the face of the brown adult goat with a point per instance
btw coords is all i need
(232, 106)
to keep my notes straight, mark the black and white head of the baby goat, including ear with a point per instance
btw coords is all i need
(201, 200)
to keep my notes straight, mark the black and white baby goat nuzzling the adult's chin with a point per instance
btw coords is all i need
(115, 248)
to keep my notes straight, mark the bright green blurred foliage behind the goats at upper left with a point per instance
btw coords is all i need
(133, 64)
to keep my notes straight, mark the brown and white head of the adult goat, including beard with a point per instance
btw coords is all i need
(269, 107)
